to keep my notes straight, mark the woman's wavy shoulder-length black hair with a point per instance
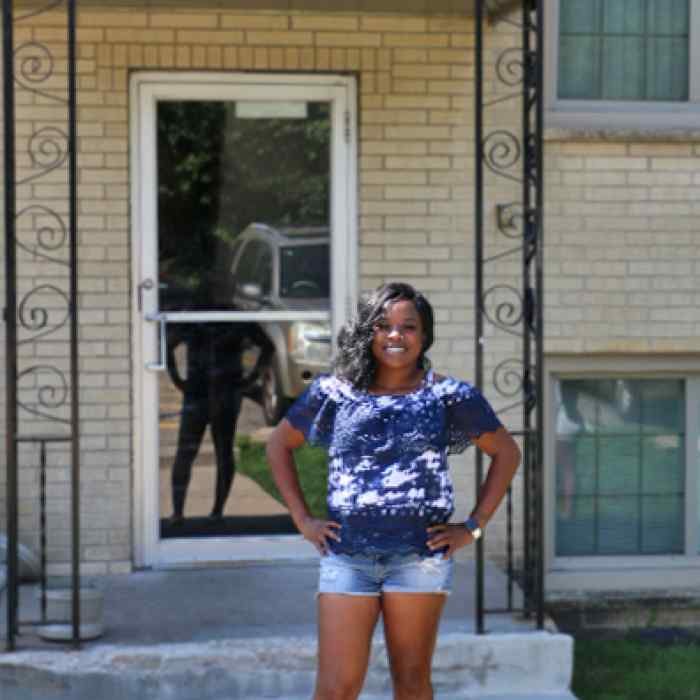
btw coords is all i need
(354, 360)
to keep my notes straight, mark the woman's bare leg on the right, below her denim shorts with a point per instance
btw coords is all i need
(410, 627)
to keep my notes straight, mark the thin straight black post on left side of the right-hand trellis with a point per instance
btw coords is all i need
(478, 278)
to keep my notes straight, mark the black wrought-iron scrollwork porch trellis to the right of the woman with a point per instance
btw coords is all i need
(503, 307)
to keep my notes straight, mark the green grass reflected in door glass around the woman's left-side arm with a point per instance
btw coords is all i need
(312, 464)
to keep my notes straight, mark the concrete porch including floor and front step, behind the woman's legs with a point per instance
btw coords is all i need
(247, 631)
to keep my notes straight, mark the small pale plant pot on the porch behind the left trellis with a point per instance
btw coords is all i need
(59, 609)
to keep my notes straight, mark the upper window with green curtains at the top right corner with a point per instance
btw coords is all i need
(625, 63)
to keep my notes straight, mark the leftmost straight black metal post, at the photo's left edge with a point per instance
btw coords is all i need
(10, 315)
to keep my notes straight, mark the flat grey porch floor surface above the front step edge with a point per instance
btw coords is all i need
(251, 599)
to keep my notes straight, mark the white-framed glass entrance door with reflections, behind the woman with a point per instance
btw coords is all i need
(245, 236)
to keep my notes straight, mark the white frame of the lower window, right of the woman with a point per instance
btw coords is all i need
(635, 572)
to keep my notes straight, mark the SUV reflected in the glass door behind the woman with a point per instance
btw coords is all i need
(285, 269)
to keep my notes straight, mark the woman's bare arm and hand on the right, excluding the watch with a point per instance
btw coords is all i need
(504, 452)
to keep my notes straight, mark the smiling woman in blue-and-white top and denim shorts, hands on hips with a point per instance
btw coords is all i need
(389, 423)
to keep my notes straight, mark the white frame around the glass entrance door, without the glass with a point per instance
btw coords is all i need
(146, 90)
